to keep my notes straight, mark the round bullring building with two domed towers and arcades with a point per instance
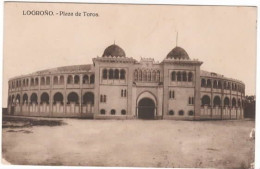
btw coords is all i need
(119, 87)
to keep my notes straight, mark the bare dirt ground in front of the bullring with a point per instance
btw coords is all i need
(132, 143)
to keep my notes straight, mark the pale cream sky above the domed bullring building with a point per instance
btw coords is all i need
(222, 37)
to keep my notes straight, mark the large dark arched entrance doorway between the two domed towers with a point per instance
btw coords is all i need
(146, 108)
